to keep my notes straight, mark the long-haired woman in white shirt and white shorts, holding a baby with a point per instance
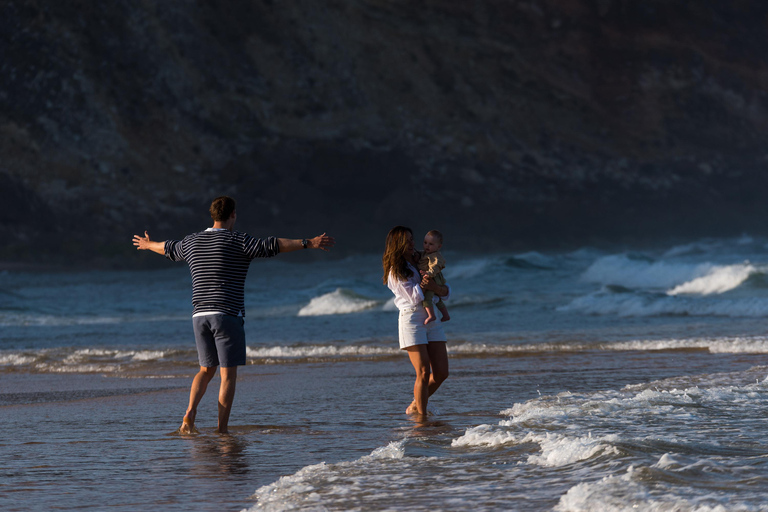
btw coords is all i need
(425, 343)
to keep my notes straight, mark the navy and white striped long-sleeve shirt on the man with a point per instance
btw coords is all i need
(218, 261)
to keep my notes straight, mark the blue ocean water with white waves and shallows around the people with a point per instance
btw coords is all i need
(583, 380)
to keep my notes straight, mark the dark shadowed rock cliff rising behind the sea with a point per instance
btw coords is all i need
(502, 123)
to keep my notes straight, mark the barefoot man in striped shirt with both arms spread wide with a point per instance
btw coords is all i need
(218, 260)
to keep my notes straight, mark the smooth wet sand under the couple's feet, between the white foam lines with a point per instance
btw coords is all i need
(110, 445)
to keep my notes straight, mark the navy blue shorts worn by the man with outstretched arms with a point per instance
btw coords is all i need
(220, 340)
